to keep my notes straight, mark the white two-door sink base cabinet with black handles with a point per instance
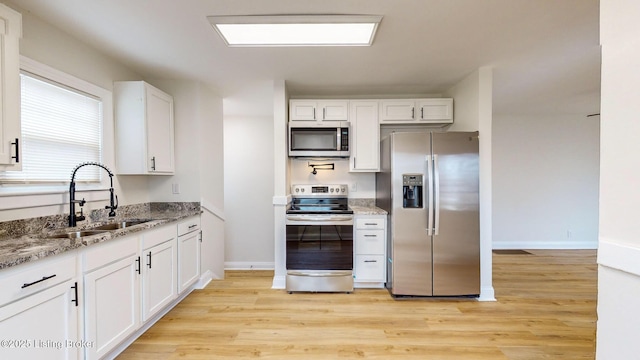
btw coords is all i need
(127, 282)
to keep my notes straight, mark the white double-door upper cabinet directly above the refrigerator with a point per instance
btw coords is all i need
(417, 111)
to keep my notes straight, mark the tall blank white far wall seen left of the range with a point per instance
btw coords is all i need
(249, 177)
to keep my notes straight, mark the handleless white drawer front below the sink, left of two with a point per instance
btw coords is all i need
(102, 254)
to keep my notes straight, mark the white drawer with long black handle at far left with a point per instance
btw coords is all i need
(34, 277)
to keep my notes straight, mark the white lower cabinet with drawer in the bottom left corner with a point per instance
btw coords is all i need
(39, 311)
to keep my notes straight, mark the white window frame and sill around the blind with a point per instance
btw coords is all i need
(20, 196)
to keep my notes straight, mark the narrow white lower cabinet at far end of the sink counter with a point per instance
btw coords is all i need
(189, 237)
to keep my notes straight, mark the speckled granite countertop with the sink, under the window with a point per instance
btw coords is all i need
(28, 240)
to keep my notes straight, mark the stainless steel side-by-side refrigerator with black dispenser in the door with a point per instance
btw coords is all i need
(429, 184)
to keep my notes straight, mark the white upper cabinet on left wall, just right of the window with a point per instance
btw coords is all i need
(144, 129)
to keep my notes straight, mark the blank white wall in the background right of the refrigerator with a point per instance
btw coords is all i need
(545, 181)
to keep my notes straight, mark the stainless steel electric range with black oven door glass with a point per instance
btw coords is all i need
(319, 228)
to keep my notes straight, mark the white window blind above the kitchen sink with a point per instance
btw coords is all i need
(61, 128)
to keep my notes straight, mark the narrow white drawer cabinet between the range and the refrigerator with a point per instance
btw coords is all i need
(370, 236)
